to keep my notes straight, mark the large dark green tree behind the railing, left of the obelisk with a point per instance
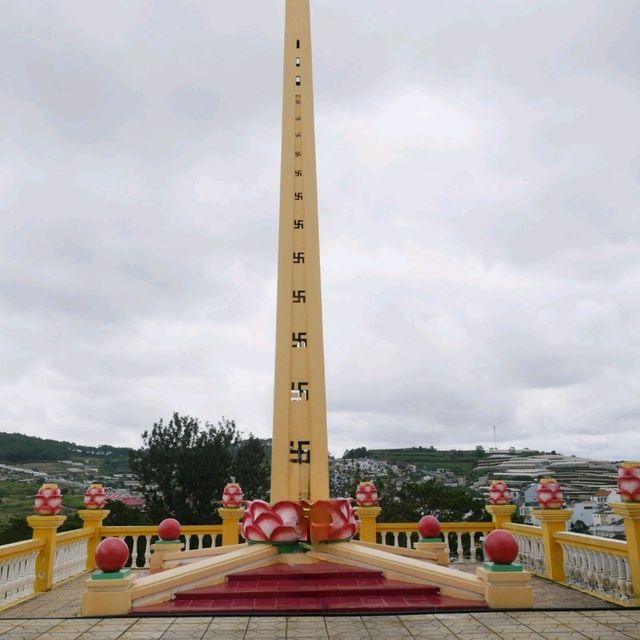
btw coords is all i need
(183, 467)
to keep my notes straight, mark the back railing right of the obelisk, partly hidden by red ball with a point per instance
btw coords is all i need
(463, 539)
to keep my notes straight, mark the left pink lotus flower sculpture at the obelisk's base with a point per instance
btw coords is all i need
(281, 522)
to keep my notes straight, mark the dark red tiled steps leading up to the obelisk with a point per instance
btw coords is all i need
(308, 588)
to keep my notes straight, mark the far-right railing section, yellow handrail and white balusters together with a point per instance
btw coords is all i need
(598, 566)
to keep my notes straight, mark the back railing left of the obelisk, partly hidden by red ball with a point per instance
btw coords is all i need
(139, 540)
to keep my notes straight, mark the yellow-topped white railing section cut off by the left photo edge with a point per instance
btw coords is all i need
(18, 571)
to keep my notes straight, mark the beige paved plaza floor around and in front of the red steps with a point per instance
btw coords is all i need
(54, 616)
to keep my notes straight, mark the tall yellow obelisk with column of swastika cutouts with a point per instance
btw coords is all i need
(299, 458)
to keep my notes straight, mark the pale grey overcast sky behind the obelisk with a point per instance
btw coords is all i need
(478, 177)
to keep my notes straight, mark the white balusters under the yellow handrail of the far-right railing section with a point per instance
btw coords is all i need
(597, 570)
